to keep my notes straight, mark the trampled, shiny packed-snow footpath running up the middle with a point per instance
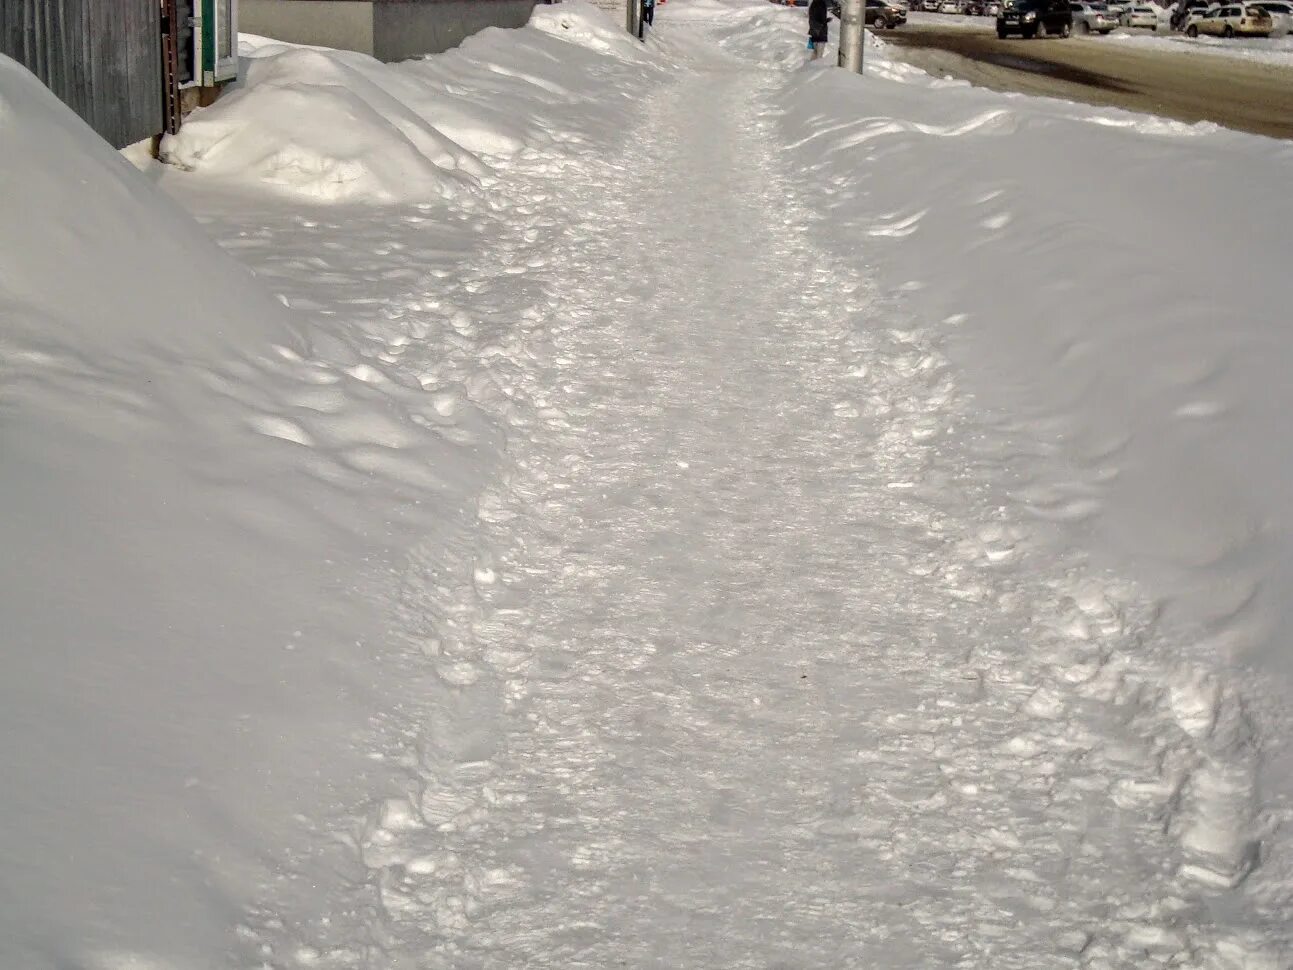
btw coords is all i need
(745, 671)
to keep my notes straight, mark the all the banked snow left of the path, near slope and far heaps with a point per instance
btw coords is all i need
(208, 488)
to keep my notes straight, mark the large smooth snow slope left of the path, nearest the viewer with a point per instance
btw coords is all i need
(183, 664)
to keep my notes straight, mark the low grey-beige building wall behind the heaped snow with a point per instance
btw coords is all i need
(390, 30)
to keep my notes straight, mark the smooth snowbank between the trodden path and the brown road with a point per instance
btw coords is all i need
(1084, 306)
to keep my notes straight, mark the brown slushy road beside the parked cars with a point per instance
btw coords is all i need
(1235, 94)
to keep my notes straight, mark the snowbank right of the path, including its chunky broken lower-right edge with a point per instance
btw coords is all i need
(1131, 346)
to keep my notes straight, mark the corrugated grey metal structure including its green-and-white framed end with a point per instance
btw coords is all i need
(129, 68)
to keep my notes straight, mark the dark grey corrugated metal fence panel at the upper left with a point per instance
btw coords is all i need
(102, 58)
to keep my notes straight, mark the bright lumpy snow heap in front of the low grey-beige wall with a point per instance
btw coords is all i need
(336, 126)
